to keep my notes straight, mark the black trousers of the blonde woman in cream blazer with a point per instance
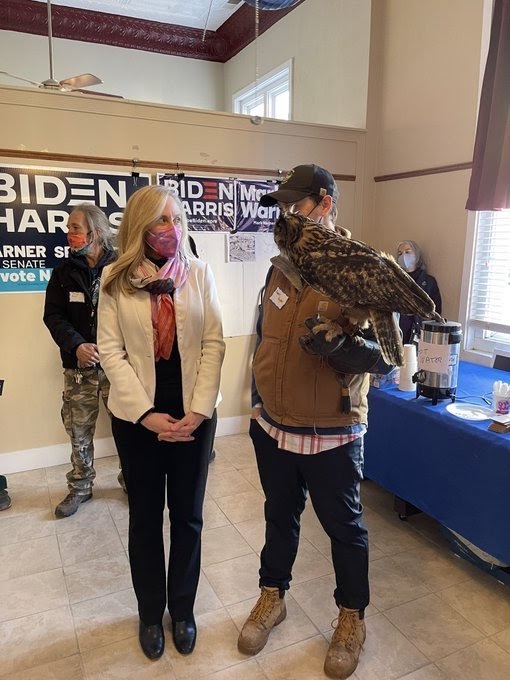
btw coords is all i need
(153, 470)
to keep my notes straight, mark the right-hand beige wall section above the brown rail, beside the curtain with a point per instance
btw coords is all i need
(431, 59)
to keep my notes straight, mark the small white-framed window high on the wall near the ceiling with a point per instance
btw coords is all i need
(265, 90)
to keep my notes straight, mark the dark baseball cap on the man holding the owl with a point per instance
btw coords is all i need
(302, 181)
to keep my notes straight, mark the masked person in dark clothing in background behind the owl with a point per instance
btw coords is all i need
(410, 258)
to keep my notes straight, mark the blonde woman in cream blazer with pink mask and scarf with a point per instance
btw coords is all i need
(161, 345)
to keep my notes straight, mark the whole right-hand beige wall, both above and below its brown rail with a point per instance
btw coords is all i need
(425, 64)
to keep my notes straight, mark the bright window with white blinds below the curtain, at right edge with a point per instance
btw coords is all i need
(484, 329)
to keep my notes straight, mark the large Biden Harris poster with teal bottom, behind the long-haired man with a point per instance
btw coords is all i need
(34, 206)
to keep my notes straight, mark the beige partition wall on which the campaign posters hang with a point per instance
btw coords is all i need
(31, 432)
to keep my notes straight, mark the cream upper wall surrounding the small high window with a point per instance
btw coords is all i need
(328, 41)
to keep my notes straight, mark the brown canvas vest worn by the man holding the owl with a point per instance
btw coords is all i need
(300, 389)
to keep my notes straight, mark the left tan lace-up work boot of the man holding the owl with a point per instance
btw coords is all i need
(268, 612)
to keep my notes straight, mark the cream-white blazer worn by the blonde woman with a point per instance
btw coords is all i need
(126, 346)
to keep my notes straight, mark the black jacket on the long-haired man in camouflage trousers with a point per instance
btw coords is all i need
(70, 307)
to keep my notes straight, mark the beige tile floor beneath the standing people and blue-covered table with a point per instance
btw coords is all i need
(67, 609)
